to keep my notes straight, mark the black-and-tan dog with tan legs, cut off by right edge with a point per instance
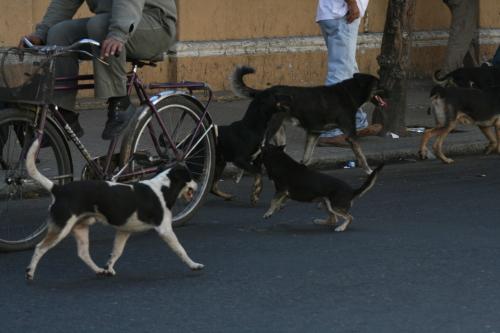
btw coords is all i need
(453, 105)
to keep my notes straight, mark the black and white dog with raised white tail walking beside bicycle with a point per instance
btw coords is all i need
(129, 208)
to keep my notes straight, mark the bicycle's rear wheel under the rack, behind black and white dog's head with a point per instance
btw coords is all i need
(181, 117)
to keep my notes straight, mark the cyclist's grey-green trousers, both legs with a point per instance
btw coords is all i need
(151, 38)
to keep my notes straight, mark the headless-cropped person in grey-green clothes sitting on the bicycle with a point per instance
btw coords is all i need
(126, 29)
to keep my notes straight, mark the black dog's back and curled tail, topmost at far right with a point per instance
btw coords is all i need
(470, 77)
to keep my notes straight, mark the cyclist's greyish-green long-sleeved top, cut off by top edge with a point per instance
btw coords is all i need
(125, 14)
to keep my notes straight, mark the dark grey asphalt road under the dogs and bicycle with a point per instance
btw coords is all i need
(422, 255)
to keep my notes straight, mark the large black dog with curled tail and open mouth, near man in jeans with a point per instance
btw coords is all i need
(317, 109)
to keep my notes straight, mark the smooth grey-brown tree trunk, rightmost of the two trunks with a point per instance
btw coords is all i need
(463, 29)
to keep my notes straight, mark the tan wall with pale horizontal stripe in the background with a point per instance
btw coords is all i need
(278, 37)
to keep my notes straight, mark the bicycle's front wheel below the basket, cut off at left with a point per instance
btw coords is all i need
(23, 202)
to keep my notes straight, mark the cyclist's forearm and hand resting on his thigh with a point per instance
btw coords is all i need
(125, 17)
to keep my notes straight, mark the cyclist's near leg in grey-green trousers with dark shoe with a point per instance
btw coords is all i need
(150, 38)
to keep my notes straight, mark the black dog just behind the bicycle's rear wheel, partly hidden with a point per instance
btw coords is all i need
(240, 141)
